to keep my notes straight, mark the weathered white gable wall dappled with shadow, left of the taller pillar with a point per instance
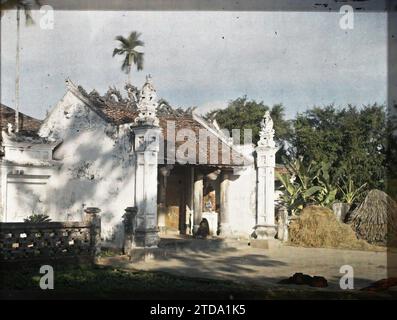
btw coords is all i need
(97, 166)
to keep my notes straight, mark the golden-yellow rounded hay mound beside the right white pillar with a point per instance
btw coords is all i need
(318, 227)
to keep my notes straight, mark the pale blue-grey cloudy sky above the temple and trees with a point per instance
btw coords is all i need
(204, 59)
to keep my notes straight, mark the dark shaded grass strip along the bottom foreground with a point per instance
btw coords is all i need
(99, 282)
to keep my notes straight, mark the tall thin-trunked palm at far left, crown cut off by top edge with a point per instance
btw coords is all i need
(27, 6)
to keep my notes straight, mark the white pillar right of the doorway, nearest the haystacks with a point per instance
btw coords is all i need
(265, 151)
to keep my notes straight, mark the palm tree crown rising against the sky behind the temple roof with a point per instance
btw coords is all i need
(127, 48)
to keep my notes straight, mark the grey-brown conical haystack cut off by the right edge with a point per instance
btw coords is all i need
(375, 220)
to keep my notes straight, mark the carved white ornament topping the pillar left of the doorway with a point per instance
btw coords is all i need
(147, 104)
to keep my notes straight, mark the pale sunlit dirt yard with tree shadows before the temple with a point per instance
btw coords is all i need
(237, 261)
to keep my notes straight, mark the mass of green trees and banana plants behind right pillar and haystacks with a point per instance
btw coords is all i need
(331, 153)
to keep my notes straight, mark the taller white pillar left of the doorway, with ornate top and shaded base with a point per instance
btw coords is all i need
(146, 146)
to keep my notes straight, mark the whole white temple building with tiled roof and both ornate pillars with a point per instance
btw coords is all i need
(115, 152)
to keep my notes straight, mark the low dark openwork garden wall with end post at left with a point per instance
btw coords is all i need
(32, 243)
